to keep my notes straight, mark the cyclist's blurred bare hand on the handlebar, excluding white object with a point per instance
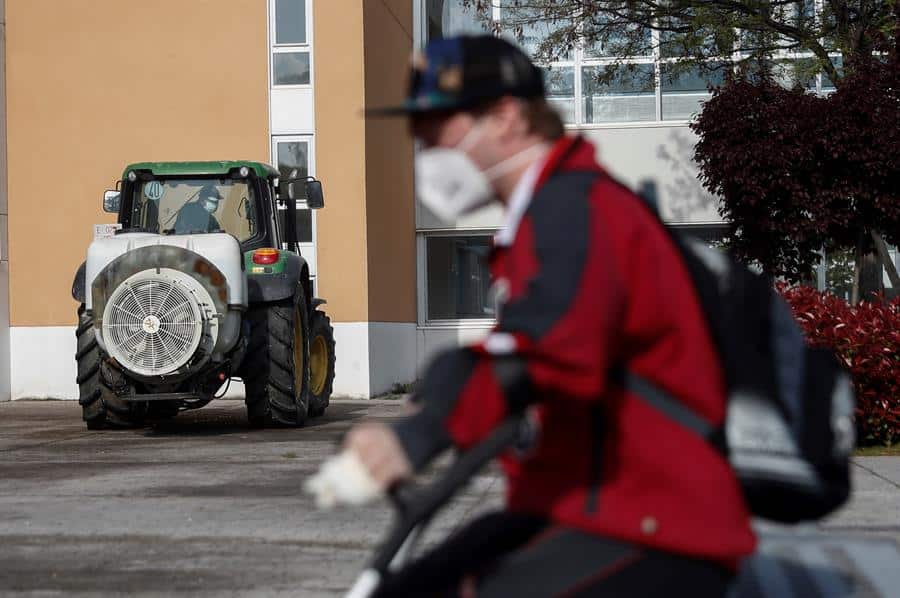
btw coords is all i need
(379, 449)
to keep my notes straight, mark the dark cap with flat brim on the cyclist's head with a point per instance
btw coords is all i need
(460, 72)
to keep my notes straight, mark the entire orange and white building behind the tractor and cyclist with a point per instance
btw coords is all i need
(91, 87)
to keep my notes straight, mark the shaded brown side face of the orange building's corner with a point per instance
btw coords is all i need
(389, 166)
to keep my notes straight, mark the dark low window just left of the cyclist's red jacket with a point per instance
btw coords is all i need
(458, 277)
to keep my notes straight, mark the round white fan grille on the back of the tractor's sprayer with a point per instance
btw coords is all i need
(152, 325)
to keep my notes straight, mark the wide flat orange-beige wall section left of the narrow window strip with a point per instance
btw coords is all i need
(95, 85)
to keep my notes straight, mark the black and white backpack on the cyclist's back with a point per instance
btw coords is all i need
(789, 430)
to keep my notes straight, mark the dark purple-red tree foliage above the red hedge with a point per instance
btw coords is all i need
(797, 172)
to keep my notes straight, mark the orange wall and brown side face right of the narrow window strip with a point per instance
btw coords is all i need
(366, 234)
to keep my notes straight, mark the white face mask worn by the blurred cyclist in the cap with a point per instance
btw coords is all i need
(449, 184)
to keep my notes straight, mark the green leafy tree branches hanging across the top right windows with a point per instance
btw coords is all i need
(710, 34)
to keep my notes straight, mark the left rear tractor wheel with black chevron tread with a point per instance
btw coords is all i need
(101, 407)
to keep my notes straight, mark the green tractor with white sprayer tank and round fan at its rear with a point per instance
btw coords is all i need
(196, 287)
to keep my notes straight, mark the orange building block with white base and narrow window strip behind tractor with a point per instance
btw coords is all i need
(91, 87)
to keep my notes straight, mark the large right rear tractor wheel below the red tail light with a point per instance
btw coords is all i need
(276, 369)
